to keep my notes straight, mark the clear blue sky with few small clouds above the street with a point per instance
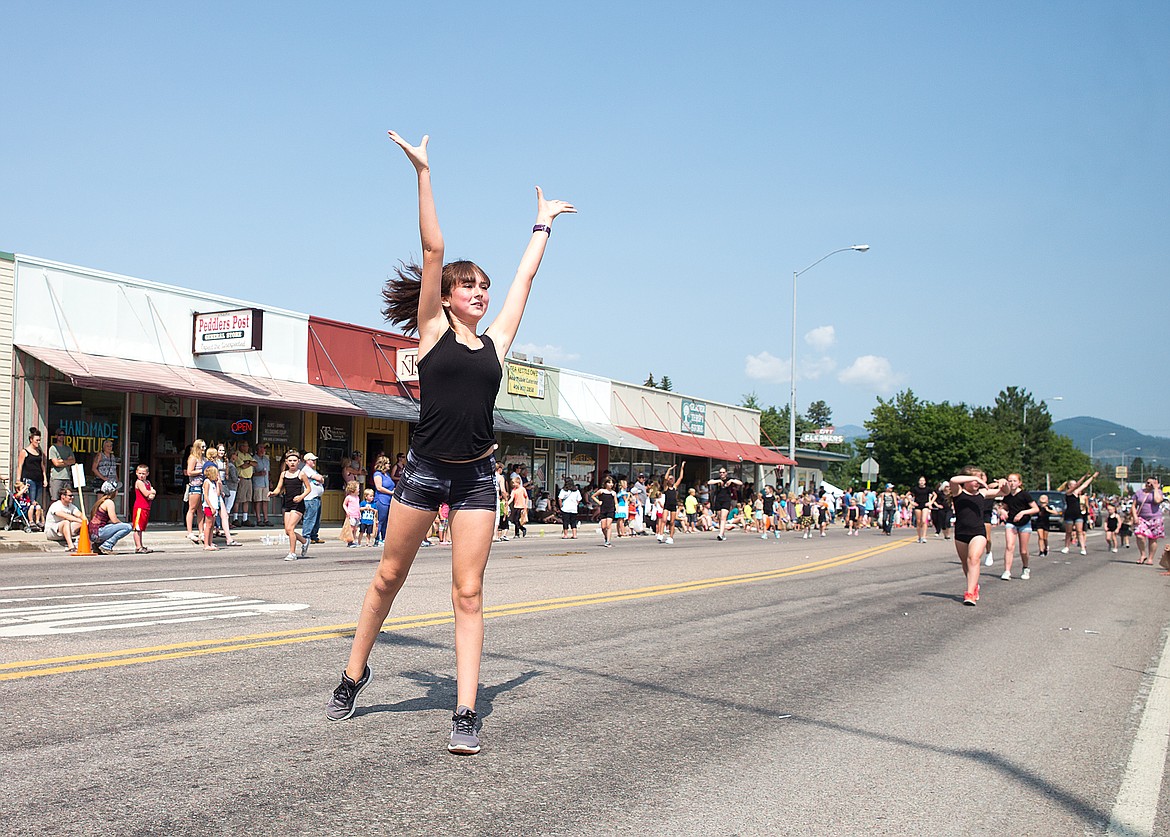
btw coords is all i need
(1007, 163)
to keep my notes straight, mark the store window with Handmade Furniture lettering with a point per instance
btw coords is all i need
(91, 420)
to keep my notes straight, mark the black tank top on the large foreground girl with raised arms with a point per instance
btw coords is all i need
(458, 393)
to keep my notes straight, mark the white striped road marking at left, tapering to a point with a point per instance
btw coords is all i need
(135, 610)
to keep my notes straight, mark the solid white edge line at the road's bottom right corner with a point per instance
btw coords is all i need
(1138, 800)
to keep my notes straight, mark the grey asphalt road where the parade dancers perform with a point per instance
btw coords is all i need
(829, 687)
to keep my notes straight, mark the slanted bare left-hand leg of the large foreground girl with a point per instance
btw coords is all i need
(404, 534)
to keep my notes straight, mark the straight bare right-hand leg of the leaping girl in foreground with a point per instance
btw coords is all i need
(471, 545)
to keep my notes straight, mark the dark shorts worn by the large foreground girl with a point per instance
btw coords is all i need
(429, 483)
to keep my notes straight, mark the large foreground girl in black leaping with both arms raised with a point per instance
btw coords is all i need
(451, 457)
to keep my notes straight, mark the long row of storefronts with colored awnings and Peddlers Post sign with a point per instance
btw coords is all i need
(149, 368)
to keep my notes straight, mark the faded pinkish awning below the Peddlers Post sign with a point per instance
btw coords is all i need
(99, 373)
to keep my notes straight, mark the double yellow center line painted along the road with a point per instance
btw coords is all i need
(75, 663)
